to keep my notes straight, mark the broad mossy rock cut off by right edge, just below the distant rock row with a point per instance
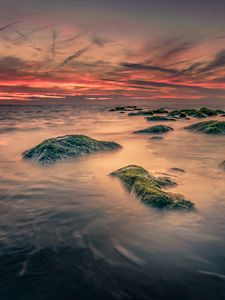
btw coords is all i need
(208, 127)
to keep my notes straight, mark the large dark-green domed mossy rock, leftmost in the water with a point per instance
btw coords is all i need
(66, 147)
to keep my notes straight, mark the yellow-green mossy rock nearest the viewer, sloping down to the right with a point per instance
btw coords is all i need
(148, 189)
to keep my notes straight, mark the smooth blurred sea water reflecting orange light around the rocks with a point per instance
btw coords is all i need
(70, 231)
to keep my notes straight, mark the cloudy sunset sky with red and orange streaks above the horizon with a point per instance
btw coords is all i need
(106, 49)
